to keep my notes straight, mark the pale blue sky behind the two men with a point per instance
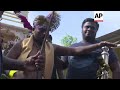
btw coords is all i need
(71, 22)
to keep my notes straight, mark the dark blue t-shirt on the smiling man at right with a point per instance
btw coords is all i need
(86, 66)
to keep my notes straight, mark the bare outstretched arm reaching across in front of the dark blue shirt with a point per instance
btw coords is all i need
(73, 51)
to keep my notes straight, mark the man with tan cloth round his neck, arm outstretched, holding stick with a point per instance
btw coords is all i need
(30, 46)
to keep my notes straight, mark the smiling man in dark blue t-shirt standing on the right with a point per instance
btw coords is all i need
(86, 66)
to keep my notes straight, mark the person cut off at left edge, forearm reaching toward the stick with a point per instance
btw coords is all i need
(8, 63)
